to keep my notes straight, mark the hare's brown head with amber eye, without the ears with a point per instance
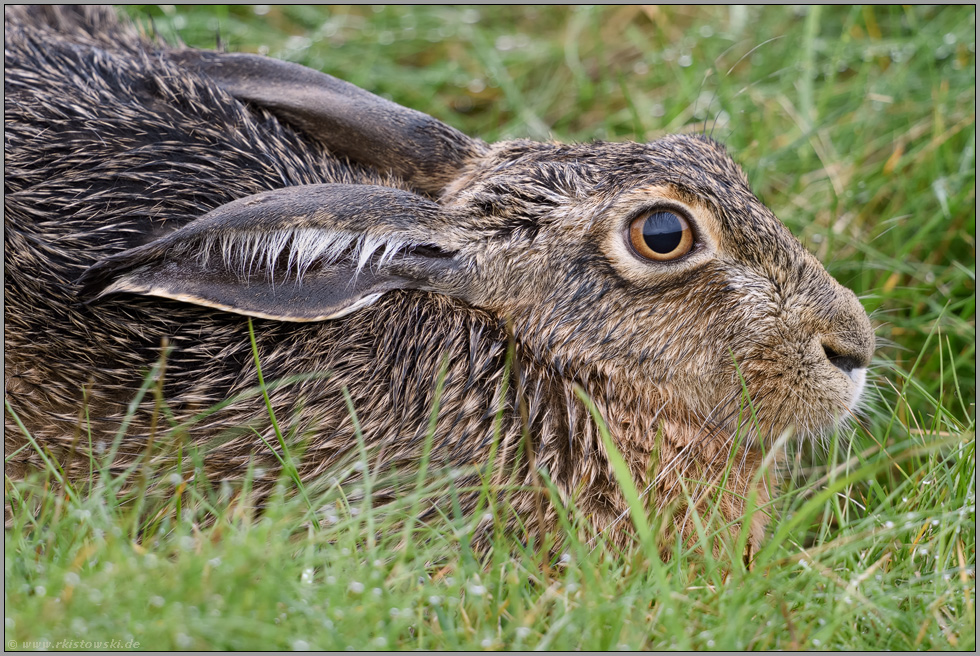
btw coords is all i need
(656, 265)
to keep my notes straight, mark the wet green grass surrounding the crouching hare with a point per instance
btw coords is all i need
(855, 124)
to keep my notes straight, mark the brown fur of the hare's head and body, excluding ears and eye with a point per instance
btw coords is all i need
(110, 145)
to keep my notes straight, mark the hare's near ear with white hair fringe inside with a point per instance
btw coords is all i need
(305, 253)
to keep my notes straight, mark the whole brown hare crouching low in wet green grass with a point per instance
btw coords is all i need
(160, 198)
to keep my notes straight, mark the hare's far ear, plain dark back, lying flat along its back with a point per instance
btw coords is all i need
(366, 128)
